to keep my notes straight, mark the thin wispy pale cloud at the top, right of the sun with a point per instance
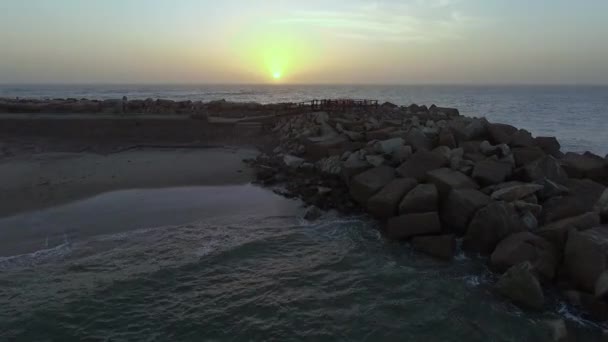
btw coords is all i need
(413, 21)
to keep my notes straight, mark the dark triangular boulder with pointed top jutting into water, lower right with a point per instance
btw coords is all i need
(521, 286)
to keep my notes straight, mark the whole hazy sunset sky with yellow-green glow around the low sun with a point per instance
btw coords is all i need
(304, 41)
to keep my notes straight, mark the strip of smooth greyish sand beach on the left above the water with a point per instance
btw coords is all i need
(31, 182)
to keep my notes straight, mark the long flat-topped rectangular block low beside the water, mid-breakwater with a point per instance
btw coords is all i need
(410, 225)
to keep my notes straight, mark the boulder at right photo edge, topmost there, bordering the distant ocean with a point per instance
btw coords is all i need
(585, 166)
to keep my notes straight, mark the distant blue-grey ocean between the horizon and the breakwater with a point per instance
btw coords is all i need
(576, 115)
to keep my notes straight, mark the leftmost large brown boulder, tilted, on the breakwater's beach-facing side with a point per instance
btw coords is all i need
(366, 184)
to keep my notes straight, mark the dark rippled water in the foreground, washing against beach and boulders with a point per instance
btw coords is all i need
(253, 271)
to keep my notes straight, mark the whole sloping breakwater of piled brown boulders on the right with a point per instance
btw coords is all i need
(433, 176)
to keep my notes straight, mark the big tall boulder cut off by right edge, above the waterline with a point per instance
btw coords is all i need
(586, 257)
